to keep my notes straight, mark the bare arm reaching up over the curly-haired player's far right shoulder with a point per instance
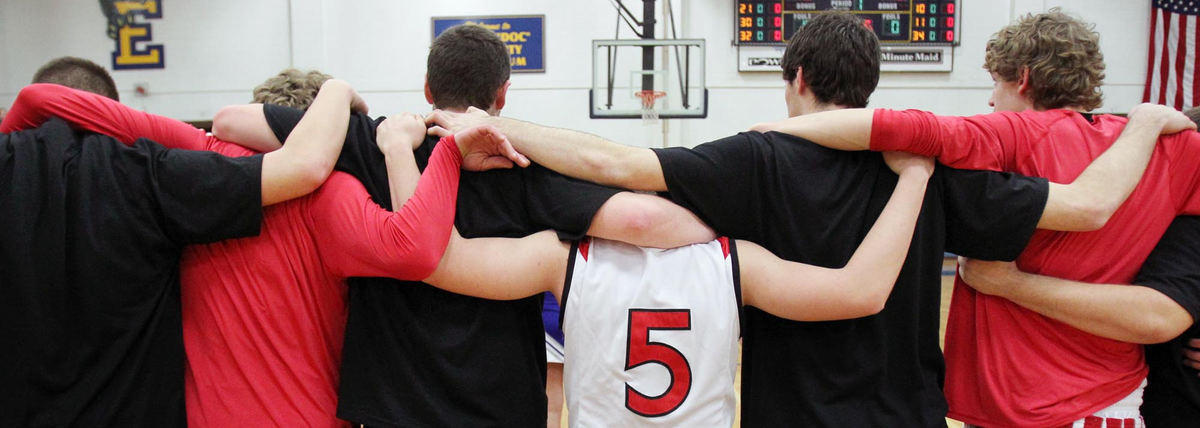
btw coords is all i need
(1089, 202)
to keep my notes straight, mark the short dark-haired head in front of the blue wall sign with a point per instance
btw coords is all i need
(466, 68)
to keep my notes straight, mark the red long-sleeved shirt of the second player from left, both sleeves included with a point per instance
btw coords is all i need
(265, 317)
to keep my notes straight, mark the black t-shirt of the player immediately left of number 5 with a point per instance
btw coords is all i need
(417, 355)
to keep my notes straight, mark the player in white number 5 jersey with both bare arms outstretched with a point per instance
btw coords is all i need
(652, 334)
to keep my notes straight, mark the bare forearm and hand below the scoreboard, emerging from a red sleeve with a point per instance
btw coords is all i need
(842, 130)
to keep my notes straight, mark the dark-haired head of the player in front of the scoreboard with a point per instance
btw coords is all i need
(839, 57)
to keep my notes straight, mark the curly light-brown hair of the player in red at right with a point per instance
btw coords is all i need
(1061, 53)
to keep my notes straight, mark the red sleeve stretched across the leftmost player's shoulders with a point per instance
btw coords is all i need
(99, 114)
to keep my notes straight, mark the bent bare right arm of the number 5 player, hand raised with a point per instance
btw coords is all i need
(807, 293)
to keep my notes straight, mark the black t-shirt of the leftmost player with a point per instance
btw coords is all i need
(91, 322)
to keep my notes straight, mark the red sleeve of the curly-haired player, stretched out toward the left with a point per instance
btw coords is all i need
(985, 142)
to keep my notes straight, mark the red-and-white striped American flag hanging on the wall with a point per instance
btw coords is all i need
(1174, 43)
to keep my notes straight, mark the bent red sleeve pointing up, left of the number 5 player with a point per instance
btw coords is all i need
(359, 239)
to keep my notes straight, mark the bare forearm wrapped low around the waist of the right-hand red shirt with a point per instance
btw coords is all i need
(1127, 314)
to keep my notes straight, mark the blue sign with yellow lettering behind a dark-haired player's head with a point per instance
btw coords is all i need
(524, 35)
